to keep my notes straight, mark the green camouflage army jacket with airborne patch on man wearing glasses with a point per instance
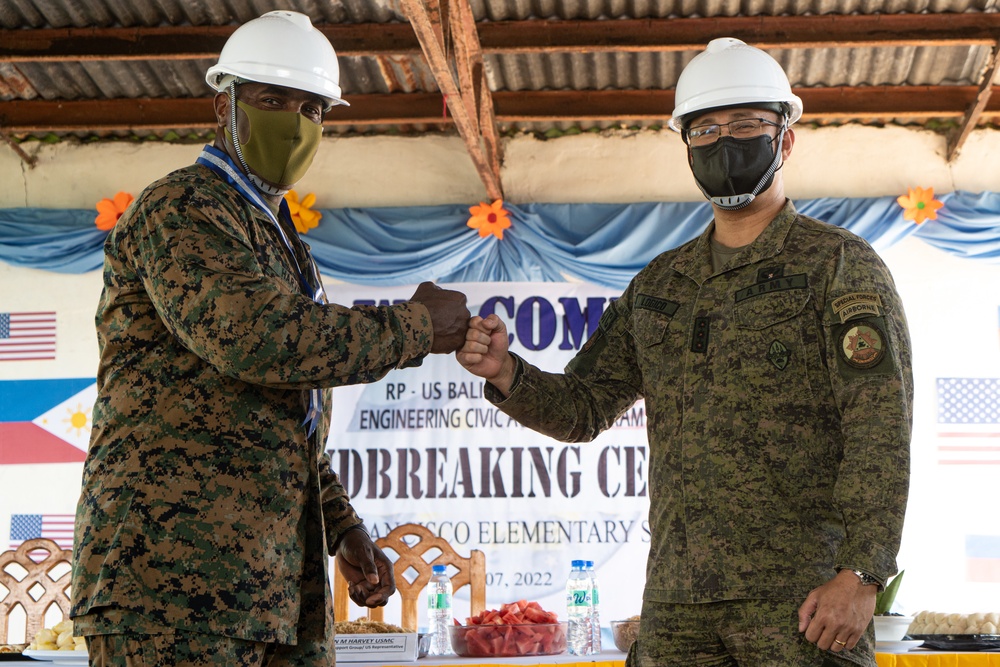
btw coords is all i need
(778, 401)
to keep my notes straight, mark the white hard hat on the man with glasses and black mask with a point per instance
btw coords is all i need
(730, 73)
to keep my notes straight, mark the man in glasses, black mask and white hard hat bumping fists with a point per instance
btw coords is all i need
(773, 356)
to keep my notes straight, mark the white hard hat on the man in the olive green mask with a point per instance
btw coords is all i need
(281, 48)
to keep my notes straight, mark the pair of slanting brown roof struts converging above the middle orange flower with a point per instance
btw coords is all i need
(436, 31)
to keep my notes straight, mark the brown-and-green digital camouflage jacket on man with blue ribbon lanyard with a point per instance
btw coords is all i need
(205, 506)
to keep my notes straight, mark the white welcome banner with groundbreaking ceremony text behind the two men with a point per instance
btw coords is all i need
(424, 446)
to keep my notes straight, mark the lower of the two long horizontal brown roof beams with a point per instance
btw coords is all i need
(913, 102)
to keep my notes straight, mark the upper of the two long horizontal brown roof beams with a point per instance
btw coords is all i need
(532, 36)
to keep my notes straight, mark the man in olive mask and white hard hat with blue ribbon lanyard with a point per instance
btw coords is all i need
(209, 506)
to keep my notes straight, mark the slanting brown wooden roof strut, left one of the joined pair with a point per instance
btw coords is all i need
(433, 28)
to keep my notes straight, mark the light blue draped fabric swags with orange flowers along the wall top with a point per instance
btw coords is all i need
(605, 244)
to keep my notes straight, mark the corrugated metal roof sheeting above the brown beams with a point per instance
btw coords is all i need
(109, 79)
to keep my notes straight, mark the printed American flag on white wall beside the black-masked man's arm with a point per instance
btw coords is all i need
(968, 421)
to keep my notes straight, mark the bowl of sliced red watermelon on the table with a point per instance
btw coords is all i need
(517, 629)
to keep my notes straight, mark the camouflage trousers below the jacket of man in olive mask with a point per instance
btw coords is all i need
(177, 648)
